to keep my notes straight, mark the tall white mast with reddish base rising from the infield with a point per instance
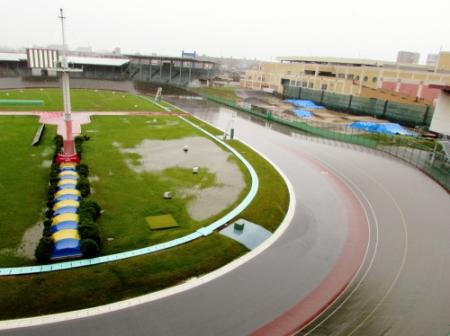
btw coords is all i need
(68, 143)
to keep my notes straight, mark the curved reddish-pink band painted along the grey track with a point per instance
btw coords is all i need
(342, 273)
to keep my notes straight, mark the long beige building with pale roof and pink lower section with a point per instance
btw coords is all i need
(360, 77)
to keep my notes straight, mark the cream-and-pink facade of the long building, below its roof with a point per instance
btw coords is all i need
(348, 79)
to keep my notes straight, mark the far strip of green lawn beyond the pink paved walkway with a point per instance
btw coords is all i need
(82, 100)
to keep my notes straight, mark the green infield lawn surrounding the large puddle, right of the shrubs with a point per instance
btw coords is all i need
(119, 189)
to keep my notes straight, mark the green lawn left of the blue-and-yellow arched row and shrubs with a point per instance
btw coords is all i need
(23, 181)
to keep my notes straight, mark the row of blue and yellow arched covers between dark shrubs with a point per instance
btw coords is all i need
(65, 218)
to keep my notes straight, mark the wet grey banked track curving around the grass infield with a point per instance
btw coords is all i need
(401, 289)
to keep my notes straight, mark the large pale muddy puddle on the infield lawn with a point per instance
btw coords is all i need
(157, 155)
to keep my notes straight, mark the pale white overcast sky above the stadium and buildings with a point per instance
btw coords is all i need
(240, 28)
